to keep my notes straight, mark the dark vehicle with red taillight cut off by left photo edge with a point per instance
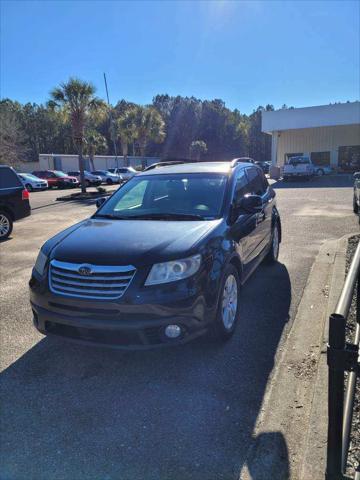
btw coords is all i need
(14, 200)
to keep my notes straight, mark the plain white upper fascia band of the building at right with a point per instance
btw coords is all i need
(321, 116)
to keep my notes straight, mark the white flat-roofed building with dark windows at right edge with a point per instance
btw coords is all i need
(329, 134)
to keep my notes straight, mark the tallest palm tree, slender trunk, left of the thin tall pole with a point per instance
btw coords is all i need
(79, 99)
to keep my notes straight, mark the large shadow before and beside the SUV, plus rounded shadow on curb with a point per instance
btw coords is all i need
(189, 412)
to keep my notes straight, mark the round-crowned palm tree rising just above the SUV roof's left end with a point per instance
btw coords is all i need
(149, 126)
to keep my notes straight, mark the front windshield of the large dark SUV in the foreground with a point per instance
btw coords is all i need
(179, 196)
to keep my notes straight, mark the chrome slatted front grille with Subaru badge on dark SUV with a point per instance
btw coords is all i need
(96, 281)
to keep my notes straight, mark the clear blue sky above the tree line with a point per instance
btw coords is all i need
(246, 53)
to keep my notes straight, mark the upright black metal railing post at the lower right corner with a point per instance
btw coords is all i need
(335, 400)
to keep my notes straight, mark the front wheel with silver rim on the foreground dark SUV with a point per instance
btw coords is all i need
(227, 315)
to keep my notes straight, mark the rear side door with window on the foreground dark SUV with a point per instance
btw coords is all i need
(258, 185)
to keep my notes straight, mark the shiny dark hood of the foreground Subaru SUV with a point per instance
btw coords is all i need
(130, 242)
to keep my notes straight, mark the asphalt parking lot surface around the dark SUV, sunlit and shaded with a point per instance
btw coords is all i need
(74, 412)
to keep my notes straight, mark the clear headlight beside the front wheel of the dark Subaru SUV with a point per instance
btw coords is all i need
(174, 270)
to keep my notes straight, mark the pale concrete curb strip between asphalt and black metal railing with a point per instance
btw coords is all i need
(296, 397)
